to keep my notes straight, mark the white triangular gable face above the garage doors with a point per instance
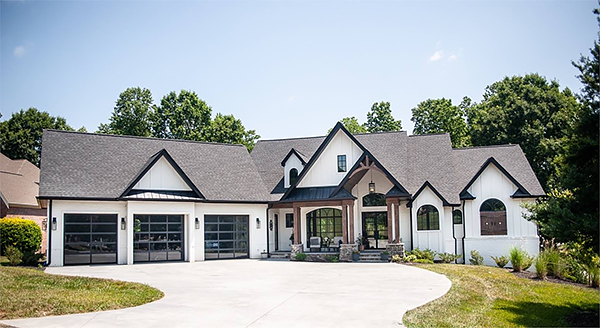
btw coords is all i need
(162, 176)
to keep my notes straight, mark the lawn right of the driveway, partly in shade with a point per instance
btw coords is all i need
(483, 296)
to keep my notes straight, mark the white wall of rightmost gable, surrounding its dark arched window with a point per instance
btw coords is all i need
(521, 233)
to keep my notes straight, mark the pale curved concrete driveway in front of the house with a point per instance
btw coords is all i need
(254, 293)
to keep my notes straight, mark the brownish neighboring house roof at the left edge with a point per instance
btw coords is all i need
(19, 181)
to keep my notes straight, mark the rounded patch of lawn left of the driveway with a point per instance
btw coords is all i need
(33, 293)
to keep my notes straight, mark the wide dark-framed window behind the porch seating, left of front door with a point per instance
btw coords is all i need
(324, 222)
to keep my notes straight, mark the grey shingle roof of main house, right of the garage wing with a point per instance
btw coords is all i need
(415, 161)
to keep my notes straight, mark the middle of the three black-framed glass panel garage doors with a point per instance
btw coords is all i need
(158, 238)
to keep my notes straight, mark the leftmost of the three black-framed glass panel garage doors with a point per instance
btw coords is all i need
(90, 238)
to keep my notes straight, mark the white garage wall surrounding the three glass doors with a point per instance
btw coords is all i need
(193, 238)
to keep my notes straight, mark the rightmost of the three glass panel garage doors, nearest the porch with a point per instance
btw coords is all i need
(225, 236)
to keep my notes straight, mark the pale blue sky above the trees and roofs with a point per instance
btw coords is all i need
(286, 69)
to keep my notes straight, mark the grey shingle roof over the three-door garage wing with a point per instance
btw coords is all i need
(101, 166)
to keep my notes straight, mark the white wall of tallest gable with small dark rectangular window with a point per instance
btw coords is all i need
(324, 170)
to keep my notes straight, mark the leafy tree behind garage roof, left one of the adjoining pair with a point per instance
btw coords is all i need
(131, 115)
